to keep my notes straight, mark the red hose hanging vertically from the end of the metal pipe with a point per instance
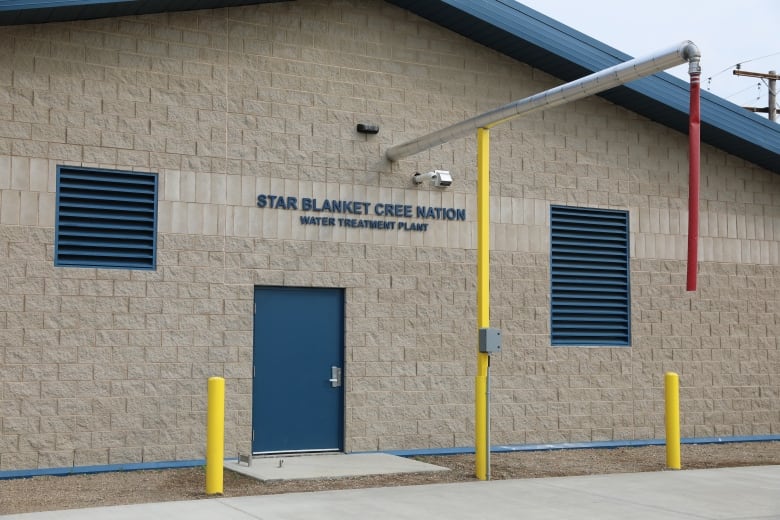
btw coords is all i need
(694, 131)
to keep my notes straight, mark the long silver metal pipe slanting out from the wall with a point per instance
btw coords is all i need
(572, 91)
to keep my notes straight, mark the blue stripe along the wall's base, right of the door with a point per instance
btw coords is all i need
(582, 445)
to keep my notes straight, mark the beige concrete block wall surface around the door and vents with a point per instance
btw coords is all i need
(109, 366)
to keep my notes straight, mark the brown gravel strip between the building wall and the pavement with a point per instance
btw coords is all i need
(132, 487)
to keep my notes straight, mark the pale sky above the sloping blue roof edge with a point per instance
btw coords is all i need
(727, 32)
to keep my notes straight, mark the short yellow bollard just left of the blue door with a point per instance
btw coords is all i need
(215, 435)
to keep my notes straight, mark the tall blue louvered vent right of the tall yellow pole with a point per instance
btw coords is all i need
(590, 294)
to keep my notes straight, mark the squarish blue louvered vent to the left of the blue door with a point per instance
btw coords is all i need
(105, 218)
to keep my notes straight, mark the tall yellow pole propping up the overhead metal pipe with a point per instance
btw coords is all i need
(481, 440)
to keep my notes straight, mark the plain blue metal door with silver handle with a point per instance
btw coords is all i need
(298, 357)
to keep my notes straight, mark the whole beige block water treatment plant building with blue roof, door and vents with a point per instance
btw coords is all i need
(184, 194)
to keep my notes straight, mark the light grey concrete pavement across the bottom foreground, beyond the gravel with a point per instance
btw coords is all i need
(723, 494)
